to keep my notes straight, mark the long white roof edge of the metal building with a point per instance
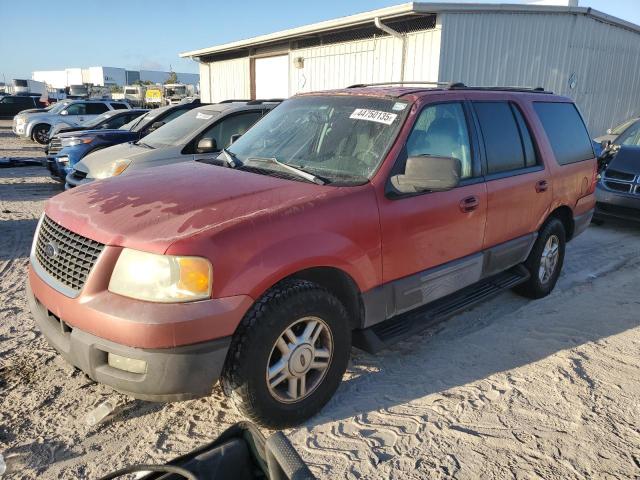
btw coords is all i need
(403, 10)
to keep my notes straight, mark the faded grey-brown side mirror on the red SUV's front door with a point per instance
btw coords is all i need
(428, 173)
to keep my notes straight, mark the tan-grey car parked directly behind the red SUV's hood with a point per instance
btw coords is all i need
(192, 136)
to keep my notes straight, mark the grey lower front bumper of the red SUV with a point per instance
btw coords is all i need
(172, 374)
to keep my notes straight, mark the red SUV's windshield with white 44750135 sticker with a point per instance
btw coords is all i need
(336, 137)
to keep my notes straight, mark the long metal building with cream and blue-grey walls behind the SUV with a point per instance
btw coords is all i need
(579, 52)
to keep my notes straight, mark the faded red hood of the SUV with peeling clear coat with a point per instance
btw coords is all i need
(151, 209)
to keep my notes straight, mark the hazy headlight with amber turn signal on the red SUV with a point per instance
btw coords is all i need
(161, 278)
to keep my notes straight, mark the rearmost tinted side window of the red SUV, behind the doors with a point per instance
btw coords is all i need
(566, 131)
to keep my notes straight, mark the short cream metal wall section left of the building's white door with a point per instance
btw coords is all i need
(228, 79)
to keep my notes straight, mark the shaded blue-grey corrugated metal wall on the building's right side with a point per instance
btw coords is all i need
(549, 50)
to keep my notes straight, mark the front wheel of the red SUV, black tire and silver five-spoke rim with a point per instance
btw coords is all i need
(289, 354)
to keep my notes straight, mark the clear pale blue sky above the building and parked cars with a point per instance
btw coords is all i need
(151, 34)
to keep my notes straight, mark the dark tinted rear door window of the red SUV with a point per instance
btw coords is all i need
(507, 139)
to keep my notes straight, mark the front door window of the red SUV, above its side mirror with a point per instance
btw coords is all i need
(441, 131)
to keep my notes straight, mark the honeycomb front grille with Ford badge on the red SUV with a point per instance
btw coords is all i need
(66, 256)
